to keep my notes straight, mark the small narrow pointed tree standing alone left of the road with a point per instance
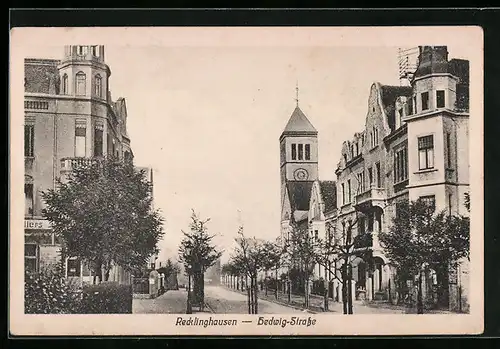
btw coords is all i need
(197, 253)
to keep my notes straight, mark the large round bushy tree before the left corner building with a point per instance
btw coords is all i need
(103, 212)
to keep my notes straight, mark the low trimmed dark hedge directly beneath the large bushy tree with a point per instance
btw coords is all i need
(107, 298)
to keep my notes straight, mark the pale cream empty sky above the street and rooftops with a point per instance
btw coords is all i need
(208, 120)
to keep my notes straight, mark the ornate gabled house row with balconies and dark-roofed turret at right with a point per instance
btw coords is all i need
(414, 146)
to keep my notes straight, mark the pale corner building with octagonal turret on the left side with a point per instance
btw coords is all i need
(70, 118)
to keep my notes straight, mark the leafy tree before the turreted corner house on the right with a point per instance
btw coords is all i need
(422, 239)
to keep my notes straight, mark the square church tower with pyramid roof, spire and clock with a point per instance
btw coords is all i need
(298, 167)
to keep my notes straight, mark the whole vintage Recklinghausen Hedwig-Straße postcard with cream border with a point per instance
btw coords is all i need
(246, 181)
